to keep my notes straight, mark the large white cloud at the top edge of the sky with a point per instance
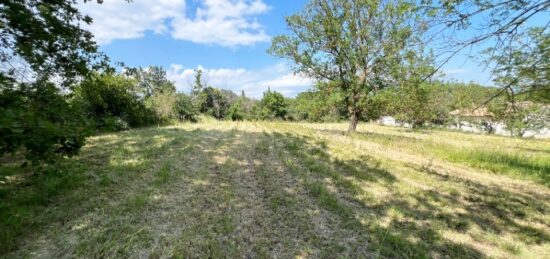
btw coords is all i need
(224, 22)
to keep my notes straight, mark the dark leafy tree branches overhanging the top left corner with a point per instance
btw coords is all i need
(46, 36)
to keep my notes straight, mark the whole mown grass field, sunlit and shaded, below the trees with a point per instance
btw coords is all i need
(267, 189)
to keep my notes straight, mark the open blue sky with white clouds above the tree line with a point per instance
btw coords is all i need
(226, 38)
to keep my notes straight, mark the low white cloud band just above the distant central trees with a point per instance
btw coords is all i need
(253, 82)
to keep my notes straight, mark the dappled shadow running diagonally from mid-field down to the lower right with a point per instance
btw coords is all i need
(399, 238)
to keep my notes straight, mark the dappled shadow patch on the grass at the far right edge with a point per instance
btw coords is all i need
(494, 209)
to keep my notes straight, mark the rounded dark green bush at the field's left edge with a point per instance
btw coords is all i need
(111, 95)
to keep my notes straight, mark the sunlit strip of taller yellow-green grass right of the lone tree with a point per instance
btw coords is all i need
(520, 158)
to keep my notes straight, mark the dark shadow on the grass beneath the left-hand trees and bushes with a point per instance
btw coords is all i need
(34, 200)
